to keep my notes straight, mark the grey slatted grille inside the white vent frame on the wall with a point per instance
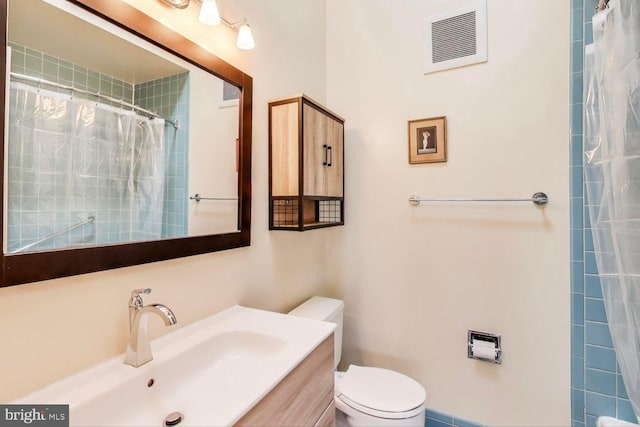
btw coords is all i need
(454, 37)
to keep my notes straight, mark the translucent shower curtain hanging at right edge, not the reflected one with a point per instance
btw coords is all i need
(612, 172)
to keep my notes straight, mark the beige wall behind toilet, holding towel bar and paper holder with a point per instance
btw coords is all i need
(415, 279)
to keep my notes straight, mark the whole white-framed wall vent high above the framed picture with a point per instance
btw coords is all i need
(455, 38)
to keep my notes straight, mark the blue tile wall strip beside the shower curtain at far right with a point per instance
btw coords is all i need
(597, 387)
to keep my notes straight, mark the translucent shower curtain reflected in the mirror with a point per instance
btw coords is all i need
(69, 158)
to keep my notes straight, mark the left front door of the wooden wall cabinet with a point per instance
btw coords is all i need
(315, 151)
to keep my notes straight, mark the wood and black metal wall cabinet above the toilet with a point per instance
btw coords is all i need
(306, 165)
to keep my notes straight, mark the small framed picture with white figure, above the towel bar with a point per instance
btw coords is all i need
(428, 140)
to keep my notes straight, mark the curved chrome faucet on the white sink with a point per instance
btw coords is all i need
(139, 348)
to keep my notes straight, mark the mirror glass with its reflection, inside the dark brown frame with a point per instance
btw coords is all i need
(110, 138)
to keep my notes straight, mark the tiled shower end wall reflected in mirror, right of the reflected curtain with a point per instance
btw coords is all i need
(169, 97)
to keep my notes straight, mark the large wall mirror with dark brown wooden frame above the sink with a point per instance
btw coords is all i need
(124, 142)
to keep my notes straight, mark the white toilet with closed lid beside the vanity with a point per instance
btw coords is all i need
(367, 396)
